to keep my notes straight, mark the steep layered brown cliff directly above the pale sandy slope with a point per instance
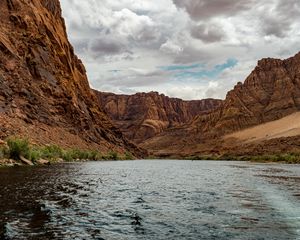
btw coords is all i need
(270, 92)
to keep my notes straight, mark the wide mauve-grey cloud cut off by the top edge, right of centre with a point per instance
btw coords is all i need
(205, 9)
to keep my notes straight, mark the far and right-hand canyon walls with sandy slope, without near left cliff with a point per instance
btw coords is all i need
(170, 127)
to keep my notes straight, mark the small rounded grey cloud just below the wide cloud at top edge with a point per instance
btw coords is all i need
(207, 33)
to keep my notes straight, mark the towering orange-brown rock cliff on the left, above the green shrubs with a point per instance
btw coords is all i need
(44, 91)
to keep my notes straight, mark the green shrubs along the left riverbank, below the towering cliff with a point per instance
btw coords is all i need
(17, 151)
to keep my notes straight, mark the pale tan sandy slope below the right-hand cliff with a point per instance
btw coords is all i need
(285, 127)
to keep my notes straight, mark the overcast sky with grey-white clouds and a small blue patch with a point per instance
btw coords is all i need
(190, 49)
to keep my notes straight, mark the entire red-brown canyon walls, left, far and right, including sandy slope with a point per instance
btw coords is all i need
(45, 96)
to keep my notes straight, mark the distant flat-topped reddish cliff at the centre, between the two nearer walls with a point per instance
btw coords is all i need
(144, 115)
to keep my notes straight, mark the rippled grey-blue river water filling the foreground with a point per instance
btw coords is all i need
(154, 199)
